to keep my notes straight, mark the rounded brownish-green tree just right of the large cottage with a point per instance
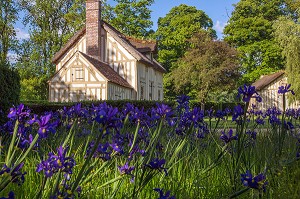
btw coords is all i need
(206, 65)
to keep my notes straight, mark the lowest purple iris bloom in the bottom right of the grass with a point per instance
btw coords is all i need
(258, 182)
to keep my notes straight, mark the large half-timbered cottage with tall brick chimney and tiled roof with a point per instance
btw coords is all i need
(100, 63)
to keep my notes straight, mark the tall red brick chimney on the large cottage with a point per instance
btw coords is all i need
(93, 28)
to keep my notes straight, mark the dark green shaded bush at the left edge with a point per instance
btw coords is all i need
(9, 89)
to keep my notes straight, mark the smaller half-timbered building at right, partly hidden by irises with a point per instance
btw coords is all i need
(267, 87)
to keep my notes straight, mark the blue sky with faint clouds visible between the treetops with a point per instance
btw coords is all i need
(218, 10)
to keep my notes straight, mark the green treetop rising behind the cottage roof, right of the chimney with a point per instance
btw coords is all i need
(132, 17)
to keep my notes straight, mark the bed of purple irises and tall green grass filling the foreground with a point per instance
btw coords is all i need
(104, 152)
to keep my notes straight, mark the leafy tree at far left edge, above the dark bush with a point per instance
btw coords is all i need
(8, 17)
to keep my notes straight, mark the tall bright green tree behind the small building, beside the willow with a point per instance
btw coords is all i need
(250, 30)
